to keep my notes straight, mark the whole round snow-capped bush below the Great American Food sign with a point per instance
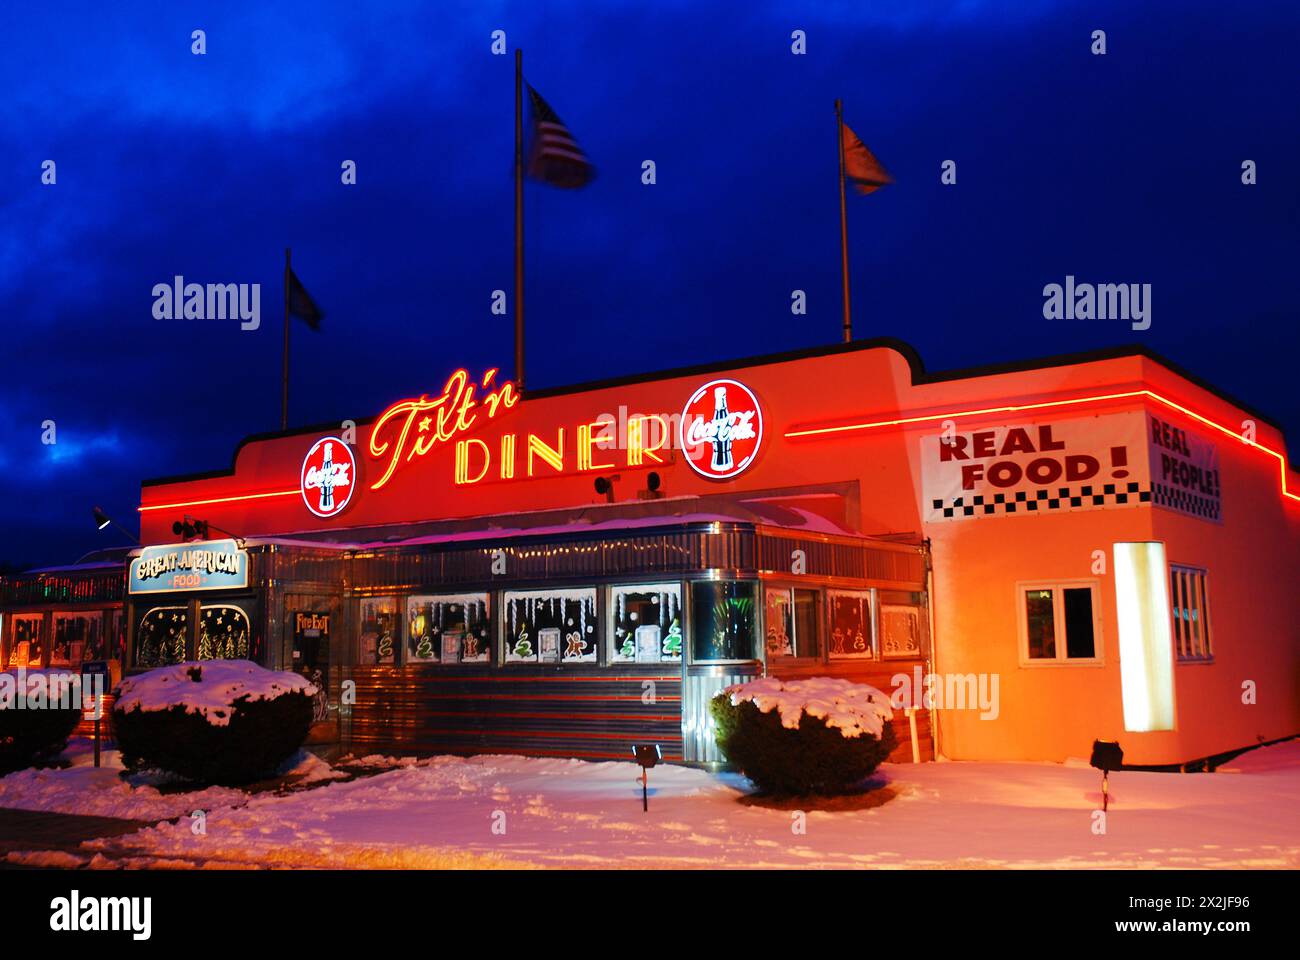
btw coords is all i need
(218, 721)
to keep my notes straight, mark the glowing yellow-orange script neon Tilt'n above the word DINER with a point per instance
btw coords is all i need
(439, 421)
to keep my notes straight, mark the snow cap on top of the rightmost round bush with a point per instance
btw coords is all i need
(852, 708)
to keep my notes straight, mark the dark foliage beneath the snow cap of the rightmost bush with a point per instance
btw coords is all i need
(811, 759)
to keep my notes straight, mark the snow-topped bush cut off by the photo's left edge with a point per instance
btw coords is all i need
(41, 728)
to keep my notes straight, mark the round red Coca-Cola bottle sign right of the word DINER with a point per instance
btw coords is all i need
(721, 430)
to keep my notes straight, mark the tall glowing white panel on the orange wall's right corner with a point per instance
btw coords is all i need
(1146, 643)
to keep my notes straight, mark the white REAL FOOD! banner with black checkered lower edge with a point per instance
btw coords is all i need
(1082, 464)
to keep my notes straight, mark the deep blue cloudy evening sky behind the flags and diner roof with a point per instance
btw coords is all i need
(1124, 168)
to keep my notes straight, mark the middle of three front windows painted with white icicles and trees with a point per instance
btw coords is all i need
(551, 626)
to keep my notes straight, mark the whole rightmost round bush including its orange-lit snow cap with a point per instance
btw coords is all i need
(821, 736)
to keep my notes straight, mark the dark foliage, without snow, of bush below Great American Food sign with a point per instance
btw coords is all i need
(259, 737)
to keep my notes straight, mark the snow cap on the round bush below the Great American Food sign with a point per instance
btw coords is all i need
(209, 689)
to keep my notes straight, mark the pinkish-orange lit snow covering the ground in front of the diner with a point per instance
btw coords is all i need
(497, 811)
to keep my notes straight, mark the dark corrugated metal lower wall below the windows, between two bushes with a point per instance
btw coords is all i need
(595, 716)
